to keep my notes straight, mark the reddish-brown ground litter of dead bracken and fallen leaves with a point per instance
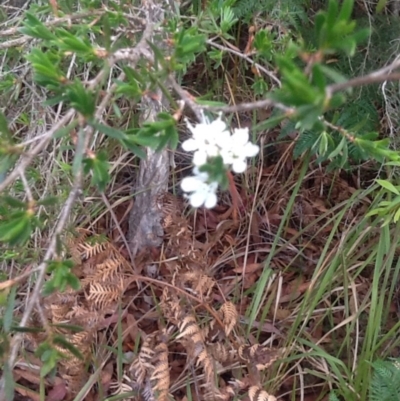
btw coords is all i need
(179, 312)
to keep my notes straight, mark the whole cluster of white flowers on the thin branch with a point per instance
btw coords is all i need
(212, 139)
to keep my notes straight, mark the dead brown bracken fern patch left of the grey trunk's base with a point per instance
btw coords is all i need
(101, 270)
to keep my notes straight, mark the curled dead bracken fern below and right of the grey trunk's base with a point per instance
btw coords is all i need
(205, 342)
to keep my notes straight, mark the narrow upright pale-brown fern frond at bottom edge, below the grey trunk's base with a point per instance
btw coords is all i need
(160, 377)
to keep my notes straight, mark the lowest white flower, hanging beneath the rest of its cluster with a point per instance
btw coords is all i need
(201, 191)
